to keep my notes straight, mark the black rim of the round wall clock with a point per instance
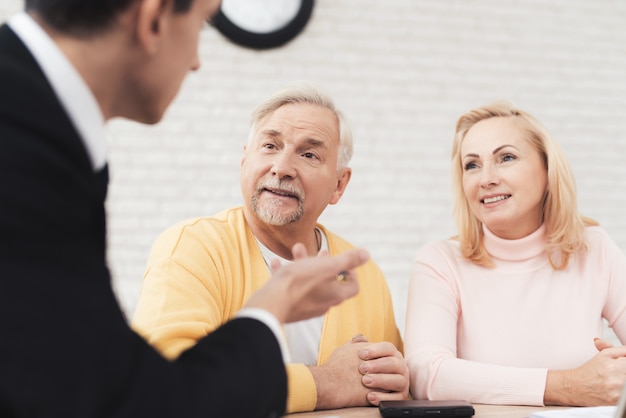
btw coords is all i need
(264, 40)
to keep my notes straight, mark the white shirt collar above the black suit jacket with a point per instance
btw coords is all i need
(72, 91)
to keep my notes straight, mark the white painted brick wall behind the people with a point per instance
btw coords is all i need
(403, 71)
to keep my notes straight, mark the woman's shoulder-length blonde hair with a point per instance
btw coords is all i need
(564, 223)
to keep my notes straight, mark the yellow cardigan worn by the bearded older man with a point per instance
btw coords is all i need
(201, 271)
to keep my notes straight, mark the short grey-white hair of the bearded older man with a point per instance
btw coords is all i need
(304, 92)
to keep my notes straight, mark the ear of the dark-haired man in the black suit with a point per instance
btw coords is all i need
(151, 22)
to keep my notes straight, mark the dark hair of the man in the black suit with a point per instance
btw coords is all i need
(84, 17)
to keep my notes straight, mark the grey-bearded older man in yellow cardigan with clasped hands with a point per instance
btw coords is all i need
(202, 271)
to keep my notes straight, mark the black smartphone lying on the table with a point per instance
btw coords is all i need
(425, 408)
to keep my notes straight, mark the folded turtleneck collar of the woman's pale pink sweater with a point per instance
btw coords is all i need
(518, 249)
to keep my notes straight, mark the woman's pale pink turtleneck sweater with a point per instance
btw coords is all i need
(490, 335)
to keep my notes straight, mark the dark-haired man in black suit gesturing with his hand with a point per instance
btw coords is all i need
(66, 67)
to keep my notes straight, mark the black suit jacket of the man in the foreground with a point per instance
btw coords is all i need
(66, 349)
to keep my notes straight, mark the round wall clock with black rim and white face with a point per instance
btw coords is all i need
(262, 24)
